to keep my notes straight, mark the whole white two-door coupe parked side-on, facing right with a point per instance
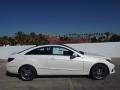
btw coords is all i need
(58, 60)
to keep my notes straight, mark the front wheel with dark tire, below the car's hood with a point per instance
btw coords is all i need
(99, 71)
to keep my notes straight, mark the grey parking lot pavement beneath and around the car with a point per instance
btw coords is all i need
(60, 82)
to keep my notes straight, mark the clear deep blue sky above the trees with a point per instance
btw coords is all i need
(59, 16)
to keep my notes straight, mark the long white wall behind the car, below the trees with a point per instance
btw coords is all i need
(110, 49)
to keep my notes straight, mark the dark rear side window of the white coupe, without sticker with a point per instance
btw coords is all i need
(40, 51)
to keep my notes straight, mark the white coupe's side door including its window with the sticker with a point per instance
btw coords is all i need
(61, 63)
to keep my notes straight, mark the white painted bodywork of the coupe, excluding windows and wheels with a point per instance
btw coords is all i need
(57, 64)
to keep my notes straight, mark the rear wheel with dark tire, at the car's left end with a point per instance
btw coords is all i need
(27, 73)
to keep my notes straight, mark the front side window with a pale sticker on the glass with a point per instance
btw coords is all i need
(61, 51)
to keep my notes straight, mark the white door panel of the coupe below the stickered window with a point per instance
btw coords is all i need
(64, 63)
